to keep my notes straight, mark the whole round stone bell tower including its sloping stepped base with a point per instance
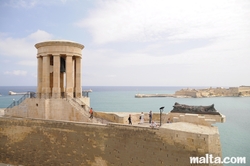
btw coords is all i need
(59, 88)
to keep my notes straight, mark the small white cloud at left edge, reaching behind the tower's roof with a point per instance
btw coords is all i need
(22, 47)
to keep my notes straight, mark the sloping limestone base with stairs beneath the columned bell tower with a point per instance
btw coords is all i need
(57, 109)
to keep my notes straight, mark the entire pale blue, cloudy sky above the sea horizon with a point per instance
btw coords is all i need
(131, 42)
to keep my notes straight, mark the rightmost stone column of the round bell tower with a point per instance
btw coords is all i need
(78, 79)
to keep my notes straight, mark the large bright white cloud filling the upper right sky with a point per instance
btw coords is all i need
(147, 20)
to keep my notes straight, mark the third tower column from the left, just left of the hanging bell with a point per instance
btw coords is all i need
(56, 92)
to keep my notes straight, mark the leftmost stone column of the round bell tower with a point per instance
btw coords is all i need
(39, 76)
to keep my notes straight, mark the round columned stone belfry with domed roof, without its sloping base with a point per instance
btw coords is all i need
(59, 69)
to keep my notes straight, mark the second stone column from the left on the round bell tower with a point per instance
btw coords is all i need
(46, 77)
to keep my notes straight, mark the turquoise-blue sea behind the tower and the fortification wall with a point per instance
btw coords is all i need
(234, 133)
